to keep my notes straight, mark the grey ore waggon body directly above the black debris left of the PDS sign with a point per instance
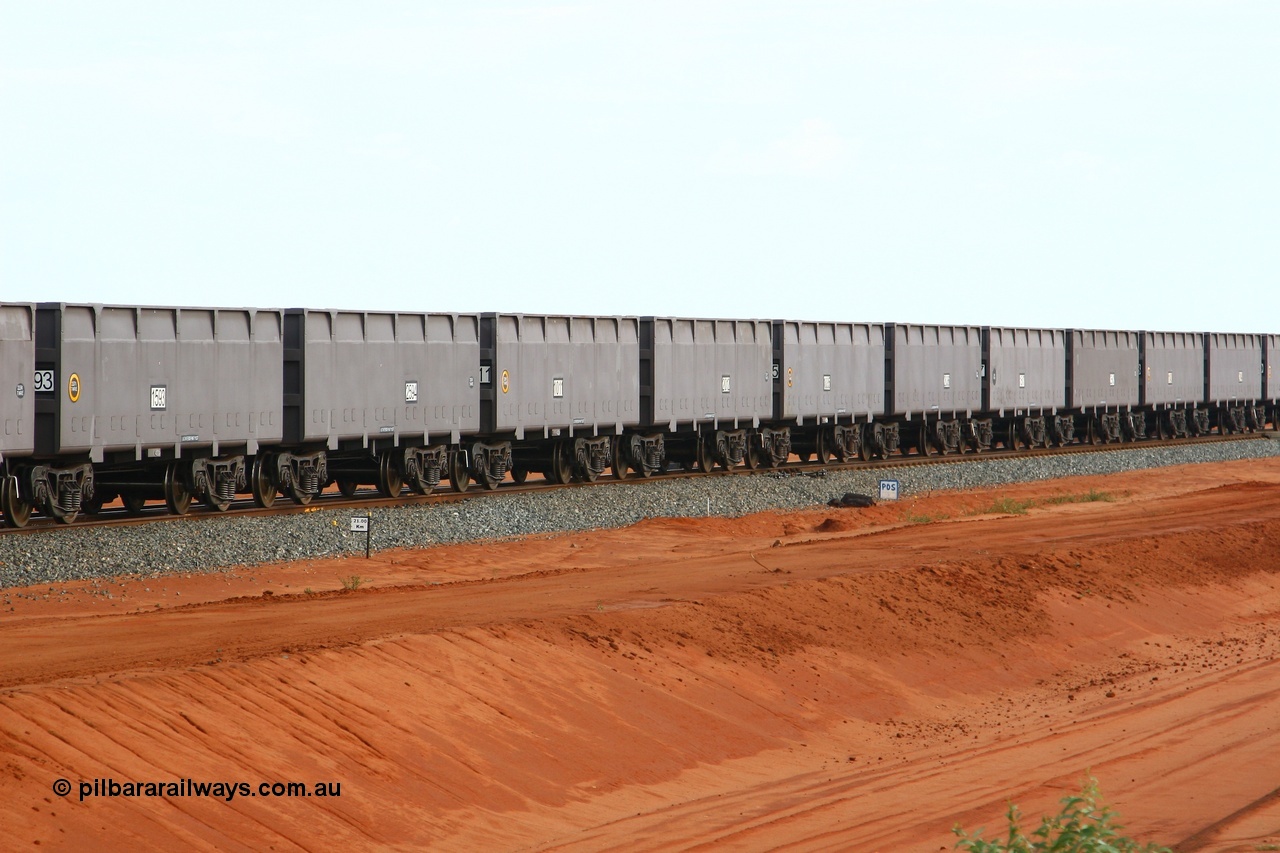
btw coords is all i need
(830, 371)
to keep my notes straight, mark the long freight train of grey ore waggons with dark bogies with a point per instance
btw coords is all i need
(177, 404)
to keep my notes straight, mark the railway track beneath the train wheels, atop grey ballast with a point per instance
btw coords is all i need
(369, 499)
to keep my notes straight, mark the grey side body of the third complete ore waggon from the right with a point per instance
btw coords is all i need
(1104, 370)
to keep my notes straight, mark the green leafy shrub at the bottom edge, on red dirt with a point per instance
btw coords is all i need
(1084, 827)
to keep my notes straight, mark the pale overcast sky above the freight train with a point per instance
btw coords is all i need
(1107, 165)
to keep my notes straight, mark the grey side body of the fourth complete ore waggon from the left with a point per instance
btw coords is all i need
(711, 372)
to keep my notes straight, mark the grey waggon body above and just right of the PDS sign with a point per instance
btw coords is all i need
(938, 370)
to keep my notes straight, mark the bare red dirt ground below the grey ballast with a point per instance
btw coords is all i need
(817, 681)
